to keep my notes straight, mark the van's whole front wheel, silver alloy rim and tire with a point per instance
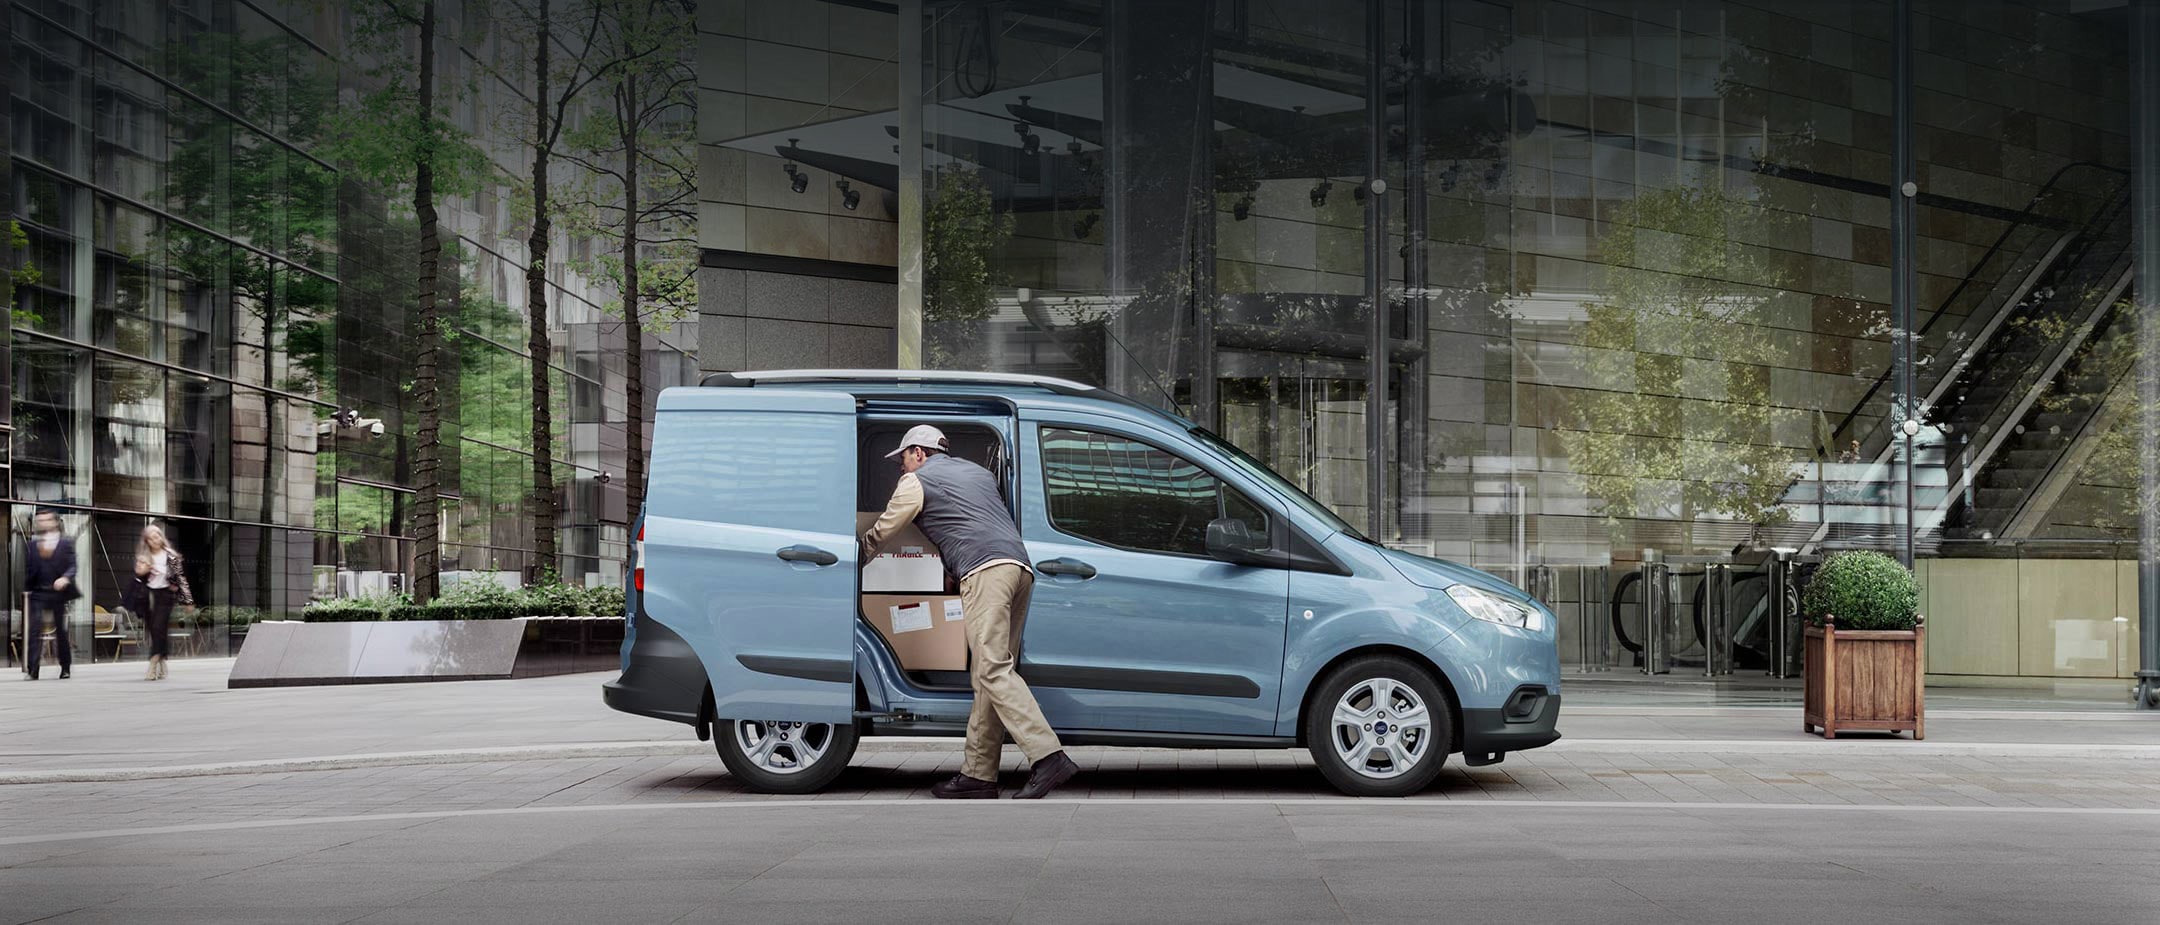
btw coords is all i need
(1379, 727)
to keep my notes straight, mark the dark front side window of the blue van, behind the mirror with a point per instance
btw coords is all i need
(1126, 494)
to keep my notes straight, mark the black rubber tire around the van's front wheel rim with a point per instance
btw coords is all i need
(1368, 781)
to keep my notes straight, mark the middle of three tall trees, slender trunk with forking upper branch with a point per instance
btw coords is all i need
(556, 90)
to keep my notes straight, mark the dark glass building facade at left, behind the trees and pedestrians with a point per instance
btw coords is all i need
(217, 336)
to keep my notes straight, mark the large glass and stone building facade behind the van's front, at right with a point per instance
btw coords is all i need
(1561, 289)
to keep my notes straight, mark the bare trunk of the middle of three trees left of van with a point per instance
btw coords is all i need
(537, 345)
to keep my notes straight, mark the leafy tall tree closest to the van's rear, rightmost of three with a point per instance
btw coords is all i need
(638, 155)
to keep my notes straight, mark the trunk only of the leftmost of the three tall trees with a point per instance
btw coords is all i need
(427, 451)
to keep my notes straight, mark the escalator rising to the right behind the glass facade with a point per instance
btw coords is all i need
(2003, 373)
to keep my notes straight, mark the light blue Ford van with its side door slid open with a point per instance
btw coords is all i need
(1187, 595)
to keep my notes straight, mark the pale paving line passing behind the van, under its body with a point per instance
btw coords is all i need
(1878, 747)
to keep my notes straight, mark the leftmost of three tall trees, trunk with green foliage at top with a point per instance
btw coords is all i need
(396, 135)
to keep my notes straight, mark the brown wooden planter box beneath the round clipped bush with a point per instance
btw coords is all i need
(1865, 680)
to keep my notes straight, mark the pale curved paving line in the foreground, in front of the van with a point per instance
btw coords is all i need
(1077, 805)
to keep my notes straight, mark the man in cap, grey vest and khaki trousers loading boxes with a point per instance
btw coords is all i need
(958, 507)
